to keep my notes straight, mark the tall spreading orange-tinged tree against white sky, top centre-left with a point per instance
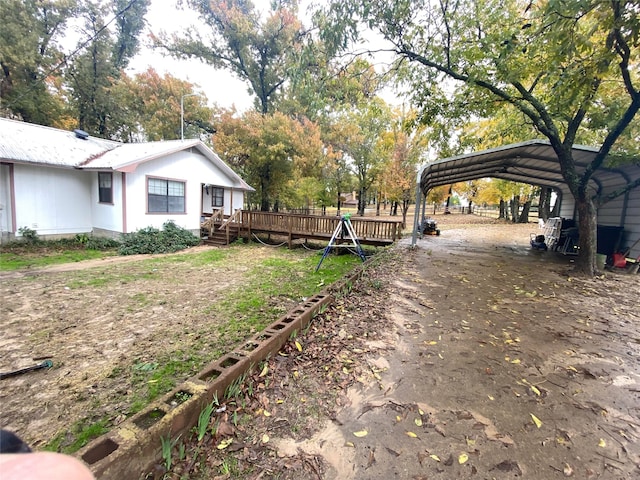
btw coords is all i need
(260, 52)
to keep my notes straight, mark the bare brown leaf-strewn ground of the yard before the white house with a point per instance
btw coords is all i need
(108, 325)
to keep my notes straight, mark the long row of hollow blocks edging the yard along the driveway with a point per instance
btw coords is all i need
(132, 448)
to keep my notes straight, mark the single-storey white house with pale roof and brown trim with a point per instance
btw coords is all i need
(62, 183)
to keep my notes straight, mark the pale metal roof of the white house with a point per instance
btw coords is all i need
(29, 143)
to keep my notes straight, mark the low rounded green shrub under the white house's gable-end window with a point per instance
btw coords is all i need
(151, 240)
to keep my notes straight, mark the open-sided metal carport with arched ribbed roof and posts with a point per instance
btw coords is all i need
(534, 162)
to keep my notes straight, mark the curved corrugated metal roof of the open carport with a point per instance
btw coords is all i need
(533, 162)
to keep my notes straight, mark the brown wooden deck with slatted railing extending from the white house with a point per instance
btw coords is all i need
(370, 231)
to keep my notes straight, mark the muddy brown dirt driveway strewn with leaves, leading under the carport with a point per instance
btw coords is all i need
(469, 357)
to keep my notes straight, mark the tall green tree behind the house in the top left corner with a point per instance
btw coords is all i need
(29, 55)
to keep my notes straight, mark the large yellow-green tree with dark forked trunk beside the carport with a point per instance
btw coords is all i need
(493, 51)
